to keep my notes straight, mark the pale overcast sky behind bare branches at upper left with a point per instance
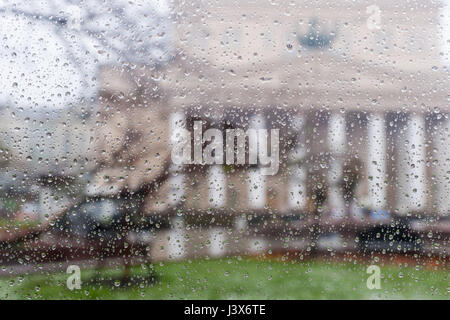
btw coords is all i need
(51, 50)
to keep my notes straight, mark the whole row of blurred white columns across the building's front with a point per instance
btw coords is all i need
(410, 171)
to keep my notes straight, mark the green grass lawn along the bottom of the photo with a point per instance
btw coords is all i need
(236, 278)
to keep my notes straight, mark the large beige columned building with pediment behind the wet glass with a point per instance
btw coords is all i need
(359, 92)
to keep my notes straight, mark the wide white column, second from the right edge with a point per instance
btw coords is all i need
(412, 169)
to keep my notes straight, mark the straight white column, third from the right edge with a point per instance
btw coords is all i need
(376, 161)
